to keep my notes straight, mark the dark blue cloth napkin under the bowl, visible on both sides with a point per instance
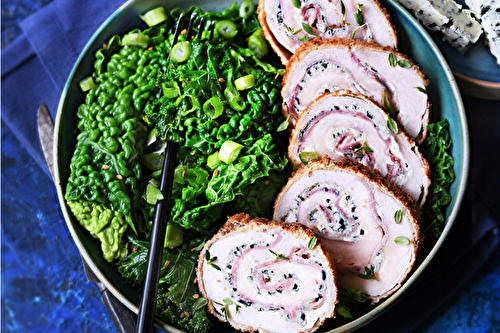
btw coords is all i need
(35, 68)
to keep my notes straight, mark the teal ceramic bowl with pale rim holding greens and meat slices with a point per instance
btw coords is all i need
(414, 41)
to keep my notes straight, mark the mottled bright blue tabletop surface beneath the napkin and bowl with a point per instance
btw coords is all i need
(44, 288)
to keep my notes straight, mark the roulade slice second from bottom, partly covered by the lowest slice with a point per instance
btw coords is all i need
(369, 225)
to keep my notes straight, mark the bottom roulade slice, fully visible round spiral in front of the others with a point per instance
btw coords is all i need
(261, 275)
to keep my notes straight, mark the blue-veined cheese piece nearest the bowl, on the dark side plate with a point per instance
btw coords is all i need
(458, 26)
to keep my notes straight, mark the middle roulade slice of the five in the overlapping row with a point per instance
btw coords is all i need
(342, 124)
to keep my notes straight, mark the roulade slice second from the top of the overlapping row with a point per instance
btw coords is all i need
(388, 77)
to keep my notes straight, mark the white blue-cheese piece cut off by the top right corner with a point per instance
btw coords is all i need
(488, 14)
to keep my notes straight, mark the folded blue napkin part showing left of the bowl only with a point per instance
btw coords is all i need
(36, 65)
